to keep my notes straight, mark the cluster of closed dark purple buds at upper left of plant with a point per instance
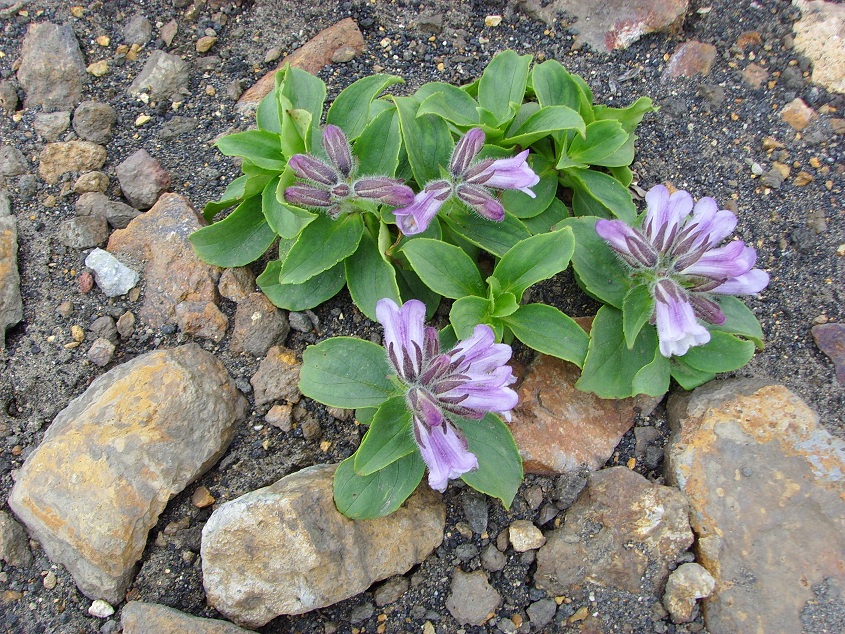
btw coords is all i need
(333, 187)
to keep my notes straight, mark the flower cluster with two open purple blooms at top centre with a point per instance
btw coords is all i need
(470, 182)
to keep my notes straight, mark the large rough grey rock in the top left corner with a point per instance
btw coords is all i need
(52, 71)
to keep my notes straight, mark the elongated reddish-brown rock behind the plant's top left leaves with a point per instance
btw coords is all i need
(311, 57)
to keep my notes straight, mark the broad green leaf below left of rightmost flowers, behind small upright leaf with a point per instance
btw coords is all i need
(610, 367)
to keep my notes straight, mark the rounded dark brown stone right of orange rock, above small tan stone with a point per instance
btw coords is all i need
(259, 325)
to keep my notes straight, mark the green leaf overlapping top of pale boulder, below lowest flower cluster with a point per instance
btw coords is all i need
(379, 494)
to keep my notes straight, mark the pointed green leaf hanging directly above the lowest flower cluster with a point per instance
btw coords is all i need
(370, 277)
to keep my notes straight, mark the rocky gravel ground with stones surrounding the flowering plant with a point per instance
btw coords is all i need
(148, 404)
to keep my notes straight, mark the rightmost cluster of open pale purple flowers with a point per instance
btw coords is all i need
(675, 252)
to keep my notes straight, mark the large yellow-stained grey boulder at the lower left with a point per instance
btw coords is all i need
(135, 438)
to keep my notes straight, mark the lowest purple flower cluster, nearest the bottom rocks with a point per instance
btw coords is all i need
(469, 381)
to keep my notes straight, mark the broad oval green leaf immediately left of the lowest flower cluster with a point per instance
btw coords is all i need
(346, 372)
